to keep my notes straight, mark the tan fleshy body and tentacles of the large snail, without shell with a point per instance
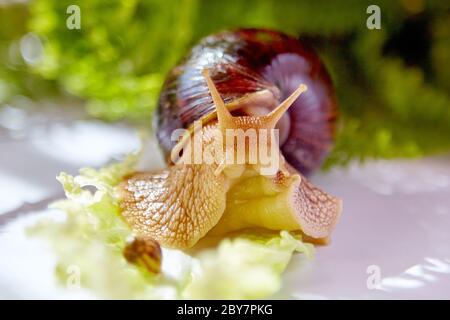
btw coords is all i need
(183, 203)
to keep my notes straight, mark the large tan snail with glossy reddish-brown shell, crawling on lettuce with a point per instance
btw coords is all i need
(249, 79)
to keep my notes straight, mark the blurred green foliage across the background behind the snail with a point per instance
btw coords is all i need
(393, 84)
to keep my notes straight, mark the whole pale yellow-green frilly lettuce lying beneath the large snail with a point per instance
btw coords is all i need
(89, 244)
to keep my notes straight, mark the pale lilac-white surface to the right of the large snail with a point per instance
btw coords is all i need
(393, 240)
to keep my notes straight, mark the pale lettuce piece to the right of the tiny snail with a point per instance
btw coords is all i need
(244, 267)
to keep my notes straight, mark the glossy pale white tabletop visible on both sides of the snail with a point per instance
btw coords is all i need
(393, 240)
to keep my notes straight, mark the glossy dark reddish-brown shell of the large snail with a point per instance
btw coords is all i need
(246, 61)
